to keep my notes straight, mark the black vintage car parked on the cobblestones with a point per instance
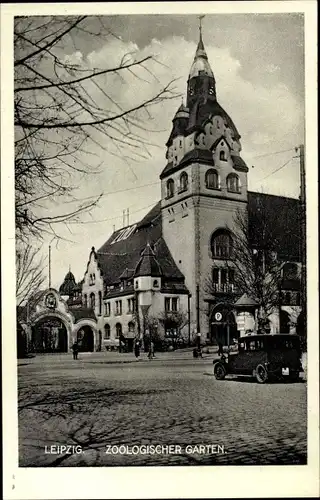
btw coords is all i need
(265, 357)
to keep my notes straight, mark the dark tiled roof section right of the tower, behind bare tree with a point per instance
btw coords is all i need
(282, 226)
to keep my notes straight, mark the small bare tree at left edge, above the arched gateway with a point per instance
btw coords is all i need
(29, 272)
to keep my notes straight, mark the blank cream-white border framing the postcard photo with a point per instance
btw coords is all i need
(160, 482)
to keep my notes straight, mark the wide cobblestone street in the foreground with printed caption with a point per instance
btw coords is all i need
(107, 399)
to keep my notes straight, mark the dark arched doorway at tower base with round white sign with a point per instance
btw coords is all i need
(223, 326)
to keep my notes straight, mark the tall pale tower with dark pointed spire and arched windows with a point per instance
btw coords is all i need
(203, 186)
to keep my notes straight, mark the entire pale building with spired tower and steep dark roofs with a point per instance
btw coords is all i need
(149, 277)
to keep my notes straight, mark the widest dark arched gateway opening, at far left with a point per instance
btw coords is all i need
(49, 334)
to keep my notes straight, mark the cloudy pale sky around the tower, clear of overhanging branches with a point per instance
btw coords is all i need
(258, 63)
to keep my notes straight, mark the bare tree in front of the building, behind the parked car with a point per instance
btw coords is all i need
(253, 268)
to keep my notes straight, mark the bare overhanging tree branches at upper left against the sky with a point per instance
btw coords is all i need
(64, 107)
